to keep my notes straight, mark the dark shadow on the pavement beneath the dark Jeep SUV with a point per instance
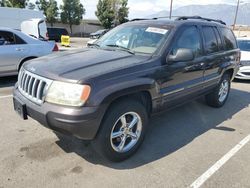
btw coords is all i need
(168, 131)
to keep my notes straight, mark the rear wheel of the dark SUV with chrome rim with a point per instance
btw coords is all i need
(220, 94)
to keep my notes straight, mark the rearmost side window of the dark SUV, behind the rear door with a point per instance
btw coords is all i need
(229, 39)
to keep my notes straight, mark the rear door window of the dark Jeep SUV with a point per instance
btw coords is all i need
(211, 45)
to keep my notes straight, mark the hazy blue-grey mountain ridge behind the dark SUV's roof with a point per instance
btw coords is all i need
(220, 11)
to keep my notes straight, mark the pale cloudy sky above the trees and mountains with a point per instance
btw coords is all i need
(143, 8)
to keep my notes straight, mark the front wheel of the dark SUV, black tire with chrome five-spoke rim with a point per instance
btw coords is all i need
(122, 130)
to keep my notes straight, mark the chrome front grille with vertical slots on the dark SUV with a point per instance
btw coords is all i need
(33, 86)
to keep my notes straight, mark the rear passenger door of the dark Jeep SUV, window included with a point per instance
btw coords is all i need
(213, 48)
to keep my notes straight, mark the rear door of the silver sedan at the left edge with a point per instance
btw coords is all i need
(12, 50)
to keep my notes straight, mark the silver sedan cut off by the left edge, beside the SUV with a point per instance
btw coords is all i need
(17, 48)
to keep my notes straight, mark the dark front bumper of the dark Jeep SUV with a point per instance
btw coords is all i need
(81, 122)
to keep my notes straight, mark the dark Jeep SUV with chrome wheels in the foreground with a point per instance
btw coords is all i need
(107, 92)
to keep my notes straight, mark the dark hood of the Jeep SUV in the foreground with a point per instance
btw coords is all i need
(82, 64)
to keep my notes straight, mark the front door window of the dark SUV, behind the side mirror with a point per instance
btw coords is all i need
(190, 39)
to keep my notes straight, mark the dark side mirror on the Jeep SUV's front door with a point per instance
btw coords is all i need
(182, 54)
